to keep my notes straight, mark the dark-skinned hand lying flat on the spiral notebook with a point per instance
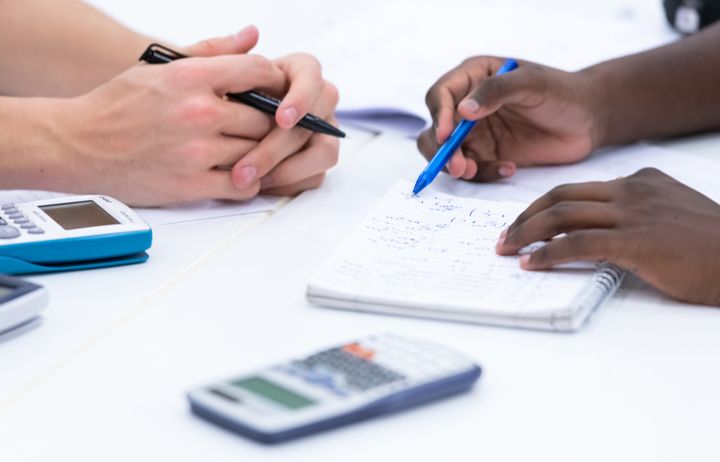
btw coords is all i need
(649, 223)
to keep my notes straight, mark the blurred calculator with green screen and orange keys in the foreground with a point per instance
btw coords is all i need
(369, 377)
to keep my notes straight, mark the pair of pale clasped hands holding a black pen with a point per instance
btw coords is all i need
(163, 134)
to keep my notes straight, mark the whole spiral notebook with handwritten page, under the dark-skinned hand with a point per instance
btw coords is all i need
(433, 256)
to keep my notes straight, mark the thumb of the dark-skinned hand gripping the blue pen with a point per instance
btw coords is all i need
(494, 92)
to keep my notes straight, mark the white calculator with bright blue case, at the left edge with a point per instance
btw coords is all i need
(70, 233)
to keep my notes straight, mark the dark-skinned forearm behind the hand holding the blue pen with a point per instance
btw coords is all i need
(666, 91)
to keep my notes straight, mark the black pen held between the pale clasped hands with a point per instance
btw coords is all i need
(158, 54)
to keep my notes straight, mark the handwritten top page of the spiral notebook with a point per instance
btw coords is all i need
(438, 250)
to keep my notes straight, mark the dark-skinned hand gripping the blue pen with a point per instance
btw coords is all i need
(534, 115)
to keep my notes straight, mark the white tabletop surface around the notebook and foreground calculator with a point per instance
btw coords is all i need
(104, 377)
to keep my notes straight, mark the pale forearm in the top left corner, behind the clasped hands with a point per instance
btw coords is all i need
(61, 47)
